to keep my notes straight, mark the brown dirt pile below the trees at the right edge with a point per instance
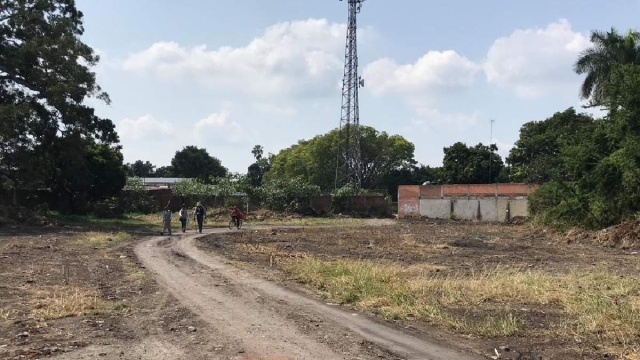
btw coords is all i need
(623, 236)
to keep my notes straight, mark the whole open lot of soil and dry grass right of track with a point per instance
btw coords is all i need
(506, 286)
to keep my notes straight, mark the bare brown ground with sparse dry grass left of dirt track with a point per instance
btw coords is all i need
(64, 289)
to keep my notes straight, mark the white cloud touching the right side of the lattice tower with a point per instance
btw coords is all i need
(434, 70)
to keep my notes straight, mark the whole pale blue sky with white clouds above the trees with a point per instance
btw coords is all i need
(227, 75)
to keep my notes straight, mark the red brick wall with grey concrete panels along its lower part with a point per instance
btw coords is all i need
(482, 202)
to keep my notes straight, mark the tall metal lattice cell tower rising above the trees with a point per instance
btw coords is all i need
(349, 164)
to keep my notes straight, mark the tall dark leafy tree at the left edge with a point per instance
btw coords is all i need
(44, 80)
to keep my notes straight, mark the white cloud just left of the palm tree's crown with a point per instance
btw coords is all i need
(533, 62)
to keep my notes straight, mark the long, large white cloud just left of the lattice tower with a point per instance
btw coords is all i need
(296, 58)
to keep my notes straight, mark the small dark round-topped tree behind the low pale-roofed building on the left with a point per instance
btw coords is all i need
(192, 162)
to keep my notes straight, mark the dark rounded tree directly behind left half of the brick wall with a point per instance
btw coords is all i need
(471, 165)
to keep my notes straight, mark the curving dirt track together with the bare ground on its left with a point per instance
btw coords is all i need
(67, 293)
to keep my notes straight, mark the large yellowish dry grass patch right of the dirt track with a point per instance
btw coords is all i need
(595, 304)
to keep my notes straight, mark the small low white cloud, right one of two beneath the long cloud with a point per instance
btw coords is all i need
(217, 128)
